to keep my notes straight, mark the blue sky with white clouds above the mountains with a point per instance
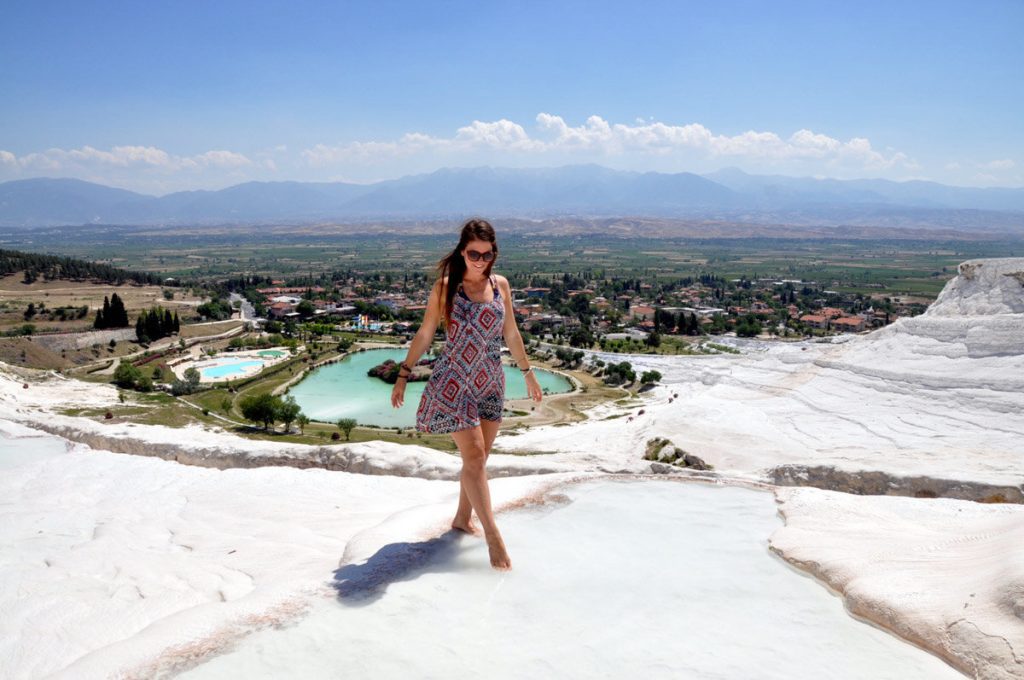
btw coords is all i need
(160, 97)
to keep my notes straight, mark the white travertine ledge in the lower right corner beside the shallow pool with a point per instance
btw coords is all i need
(947, 575)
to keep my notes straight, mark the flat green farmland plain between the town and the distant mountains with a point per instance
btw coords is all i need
(893, 267)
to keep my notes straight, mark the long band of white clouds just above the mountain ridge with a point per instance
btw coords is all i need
(643, 144)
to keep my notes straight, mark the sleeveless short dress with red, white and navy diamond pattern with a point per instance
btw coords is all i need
(468, 382)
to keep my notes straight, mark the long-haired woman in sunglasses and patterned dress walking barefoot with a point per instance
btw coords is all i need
(466, 393)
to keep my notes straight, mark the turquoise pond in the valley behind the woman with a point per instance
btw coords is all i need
(345, 391)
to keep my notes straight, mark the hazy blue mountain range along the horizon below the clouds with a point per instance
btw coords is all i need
(581, 190)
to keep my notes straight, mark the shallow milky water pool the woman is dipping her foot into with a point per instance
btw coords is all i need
(631, 579)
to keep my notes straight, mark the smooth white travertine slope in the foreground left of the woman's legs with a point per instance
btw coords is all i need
(119, 566)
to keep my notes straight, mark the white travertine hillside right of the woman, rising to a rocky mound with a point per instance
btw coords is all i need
(942, 395)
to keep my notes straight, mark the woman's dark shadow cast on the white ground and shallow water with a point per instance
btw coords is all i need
(359, 585)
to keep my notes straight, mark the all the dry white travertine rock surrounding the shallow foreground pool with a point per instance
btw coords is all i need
(112, 562)
